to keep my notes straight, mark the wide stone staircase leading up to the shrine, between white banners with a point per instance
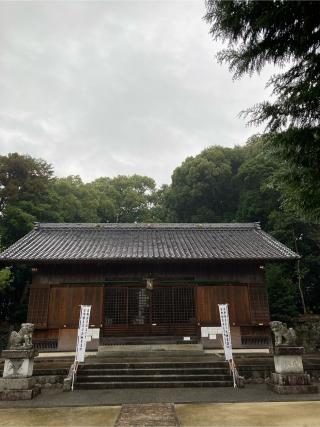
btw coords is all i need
(153, 374)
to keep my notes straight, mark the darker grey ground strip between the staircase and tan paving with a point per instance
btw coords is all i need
(251, 393)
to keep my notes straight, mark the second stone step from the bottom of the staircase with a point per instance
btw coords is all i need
(153, 378)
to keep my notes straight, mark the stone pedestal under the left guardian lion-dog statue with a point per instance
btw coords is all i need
(17, 382)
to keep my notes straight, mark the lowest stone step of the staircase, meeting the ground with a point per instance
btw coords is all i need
(151, 384)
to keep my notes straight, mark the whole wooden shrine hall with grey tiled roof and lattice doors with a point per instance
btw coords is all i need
(147, 282)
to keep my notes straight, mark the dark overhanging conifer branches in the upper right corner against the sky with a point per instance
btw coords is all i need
(282, 33)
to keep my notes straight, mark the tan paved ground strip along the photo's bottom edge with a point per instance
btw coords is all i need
(261, 414)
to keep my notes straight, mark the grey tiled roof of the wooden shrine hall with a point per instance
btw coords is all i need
(88, 242)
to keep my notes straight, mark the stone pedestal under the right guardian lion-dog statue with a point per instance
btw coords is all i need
(289, 377)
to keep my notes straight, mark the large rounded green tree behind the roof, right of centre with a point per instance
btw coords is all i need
(202, 188)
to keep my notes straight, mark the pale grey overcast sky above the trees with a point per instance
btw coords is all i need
(116, 87)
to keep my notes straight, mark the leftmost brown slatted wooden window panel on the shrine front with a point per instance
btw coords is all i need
(38, 307)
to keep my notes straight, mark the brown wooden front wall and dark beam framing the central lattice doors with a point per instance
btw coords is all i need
(57, 291)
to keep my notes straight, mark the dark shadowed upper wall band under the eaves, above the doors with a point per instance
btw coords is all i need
(240, 272)
